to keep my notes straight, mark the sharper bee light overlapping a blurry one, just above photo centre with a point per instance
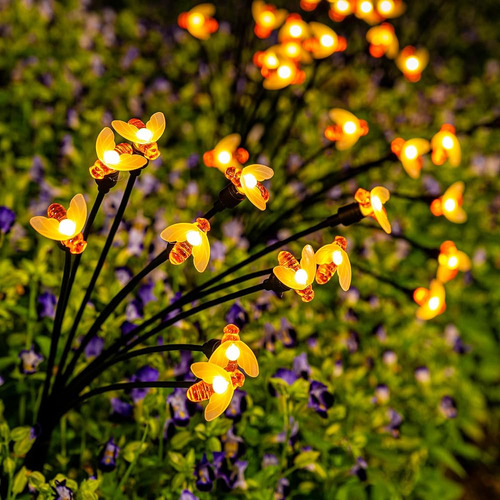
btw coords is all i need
(248, 182)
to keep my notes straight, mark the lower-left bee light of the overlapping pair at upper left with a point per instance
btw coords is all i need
(113, 157)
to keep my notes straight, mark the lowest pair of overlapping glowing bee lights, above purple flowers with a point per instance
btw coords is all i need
(220, 376)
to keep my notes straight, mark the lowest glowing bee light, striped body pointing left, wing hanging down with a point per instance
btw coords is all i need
(216, 385)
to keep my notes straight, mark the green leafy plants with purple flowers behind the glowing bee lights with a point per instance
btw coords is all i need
(68, 68)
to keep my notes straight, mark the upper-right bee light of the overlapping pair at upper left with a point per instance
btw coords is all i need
(144, 136)
